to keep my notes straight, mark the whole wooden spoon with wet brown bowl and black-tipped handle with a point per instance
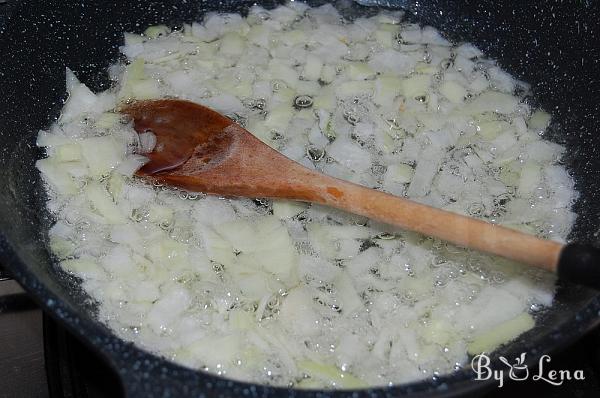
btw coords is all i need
(201, 150)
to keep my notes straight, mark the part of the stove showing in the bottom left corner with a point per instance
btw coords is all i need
(39, 358)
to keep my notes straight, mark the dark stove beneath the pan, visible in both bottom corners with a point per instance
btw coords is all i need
(39, 358)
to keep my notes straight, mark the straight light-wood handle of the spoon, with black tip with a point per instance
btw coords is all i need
(574, 262)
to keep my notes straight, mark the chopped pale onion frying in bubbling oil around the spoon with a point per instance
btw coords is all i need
(289, 293)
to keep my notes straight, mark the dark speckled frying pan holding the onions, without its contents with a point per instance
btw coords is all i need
(551, 44)
